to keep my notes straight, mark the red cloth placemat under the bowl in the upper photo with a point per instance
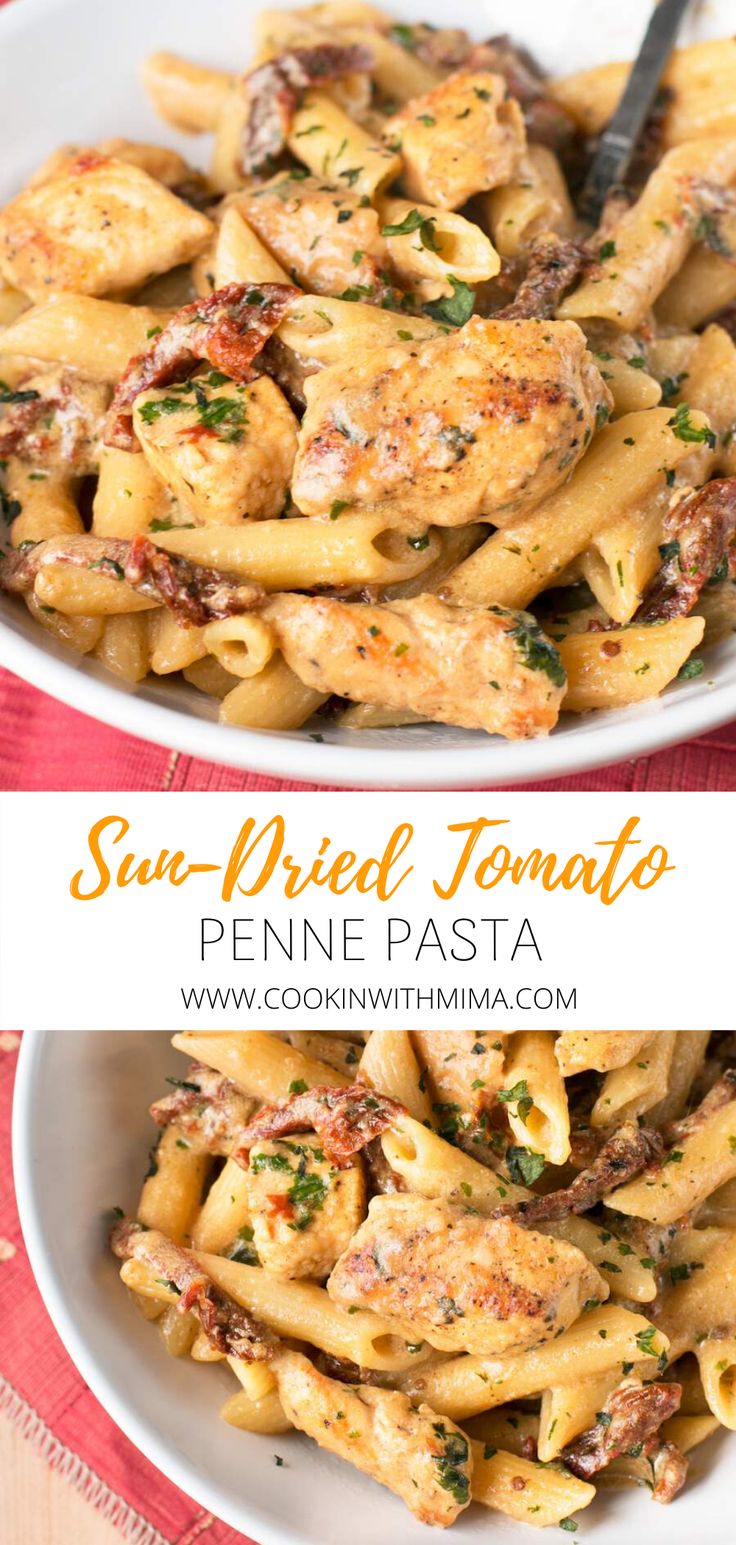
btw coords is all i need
(46, 745)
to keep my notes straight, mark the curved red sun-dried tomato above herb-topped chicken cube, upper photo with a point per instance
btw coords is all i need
(230, 330)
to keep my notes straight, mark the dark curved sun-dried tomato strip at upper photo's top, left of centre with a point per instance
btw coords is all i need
(276, 89)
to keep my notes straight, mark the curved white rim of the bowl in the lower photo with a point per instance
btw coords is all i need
(137, 1428)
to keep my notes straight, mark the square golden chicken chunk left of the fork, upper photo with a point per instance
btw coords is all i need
(466, 137)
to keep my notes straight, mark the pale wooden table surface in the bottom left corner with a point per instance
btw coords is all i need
(41, 1509)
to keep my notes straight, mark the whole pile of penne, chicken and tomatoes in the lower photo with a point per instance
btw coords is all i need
(384, 1312)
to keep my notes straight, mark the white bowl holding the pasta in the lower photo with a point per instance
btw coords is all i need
(80, 1141)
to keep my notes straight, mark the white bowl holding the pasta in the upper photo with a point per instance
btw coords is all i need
(69, 70)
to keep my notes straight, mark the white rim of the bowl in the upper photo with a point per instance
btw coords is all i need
(285, 755)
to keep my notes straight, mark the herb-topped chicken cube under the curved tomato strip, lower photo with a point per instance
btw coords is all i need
(302, 1209)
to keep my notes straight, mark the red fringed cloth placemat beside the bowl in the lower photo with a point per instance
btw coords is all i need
(50, 1405)
